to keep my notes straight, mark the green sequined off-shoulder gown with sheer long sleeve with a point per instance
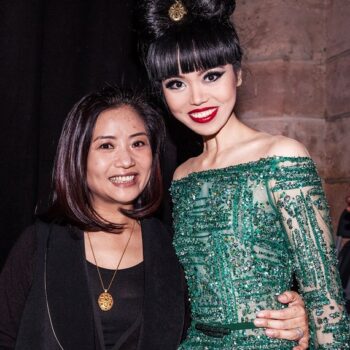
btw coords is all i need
(241, 233)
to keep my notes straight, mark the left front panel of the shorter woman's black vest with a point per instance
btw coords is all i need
(68, 295)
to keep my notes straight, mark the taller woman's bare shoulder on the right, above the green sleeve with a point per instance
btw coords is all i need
(286, 147)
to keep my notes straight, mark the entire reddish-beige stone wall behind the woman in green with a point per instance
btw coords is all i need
(296, 80)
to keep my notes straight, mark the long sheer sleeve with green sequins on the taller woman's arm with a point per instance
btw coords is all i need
(298, 198)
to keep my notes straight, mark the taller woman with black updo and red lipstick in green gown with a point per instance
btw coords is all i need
(249, 211)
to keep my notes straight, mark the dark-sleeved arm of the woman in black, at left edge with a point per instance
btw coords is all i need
(15, 282)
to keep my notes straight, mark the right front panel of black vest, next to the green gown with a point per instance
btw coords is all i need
(163, 310)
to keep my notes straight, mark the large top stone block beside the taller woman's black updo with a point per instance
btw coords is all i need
(275, 29)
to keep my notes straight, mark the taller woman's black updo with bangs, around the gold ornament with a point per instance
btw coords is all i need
(203, 38)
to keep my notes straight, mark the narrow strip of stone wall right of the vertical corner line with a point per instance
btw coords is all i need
(337, 143)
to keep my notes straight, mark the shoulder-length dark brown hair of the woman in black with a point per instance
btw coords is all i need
(71, 197)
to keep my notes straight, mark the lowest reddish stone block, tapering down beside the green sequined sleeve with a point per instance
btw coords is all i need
(336, 193)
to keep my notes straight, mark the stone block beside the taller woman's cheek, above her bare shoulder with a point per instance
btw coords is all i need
(282, 88)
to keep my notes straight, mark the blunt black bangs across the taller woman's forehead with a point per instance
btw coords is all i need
(193, 47)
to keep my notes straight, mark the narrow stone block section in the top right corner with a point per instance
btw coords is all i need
(338, 27)
